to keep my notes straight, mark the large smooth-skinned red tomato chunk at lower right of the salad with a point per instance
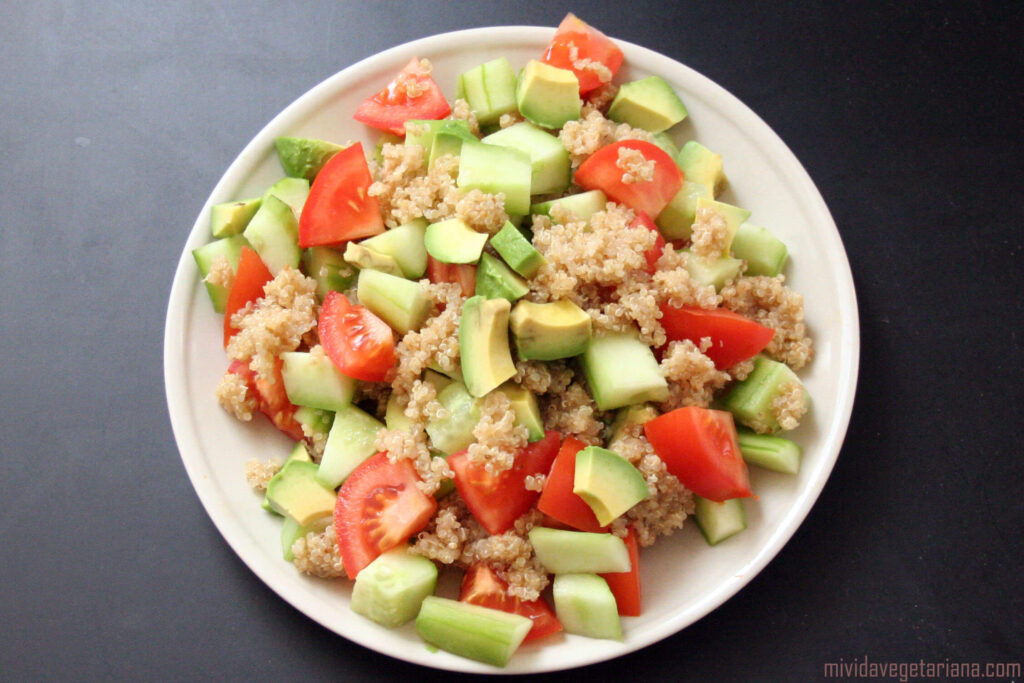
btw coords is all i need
(699, 447)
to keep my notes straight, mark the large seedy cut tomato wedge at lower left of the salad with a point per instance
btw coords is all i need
(379, 507)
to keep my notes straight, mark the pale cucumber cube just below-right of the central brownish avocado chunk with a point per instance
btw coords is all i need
(621, 370)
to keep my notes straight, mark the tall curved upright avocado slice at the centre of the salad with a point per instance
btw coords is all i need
(484, 338)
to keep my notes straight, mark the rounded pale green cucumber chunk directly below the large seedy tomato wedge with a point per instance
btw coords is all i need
(391, 589)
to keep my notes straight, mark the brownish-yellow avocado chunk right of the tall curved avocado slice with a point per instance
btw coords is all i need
(550, 331)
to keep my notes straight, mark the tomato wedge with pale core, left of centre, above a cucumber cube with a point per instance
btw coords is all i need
(359, 344)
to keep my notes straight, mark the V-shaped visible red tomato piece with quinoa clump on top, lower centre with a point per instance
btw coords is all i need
(498, 501)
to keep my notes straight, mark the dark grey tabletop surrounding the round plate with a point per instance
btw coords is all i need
(116, 122)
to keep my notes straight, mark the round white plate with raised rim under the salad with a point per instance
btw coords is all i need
(684, 579)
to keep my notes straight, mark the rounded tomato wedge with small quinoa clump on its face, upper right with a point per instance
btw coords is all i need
(602, 172)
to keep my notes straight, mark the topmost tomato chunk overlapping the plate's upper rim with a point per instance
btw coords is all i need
(576, 45)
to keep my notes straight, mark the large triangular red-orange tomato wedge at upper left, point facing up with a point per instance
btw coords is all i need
(339, 207)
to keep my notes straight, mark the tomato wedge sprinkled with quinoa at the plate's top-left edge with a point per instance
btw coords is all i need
(412, 95)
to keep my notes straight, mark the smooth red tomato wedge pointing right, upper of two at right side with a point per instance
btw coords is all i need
(734, 337)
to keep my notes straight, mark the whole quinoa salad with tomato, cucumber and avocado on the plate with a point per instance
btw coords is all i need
(491, 420)
